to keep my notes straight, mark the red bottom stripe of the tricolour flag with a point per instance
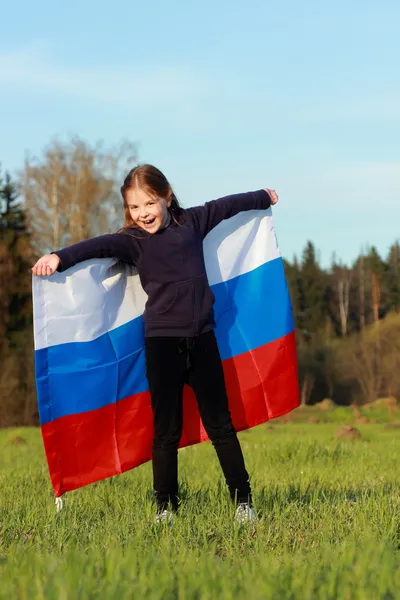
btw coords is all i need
(262, 384)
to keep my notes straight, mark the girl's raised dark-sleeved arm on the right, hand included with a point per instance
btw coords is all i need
(212, 213)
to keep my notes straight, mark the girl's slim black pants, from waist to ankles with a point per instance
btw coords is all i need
(170, 363)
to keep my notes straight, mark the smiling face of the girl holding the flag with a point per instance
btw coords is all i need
(148, 213)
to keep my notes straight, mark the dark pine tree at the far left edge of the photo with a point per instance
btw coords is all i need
(16, 344)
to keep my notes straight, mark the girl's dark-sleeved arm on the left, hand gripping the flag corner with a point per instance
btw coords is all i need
(118, 245)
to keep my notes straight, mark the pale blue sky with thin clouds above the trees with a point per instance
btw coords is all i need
(303, 97)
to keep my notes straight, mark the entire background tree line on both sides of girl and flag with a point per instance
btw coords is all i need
(347, 316)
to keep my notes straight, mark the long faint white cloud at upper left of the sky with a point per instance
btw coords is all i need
(135, 87)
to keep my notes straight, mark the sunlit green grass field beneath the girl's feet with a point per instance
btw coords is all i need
(329, 522)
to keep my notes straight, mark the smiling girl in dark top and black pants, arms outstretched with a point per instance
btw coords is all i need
(165, 243)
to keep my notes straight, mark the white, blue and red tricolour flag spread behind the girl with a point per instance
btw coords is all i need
(94, 403)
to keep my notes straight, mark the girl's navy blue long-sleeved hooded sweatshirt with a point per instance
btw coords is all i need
(170, 264)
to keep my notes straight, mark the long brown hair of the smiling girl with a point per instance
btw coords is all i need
(153, 182)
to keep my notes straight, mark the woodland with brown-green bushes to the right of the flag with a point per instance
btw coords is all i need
(347, 325)
